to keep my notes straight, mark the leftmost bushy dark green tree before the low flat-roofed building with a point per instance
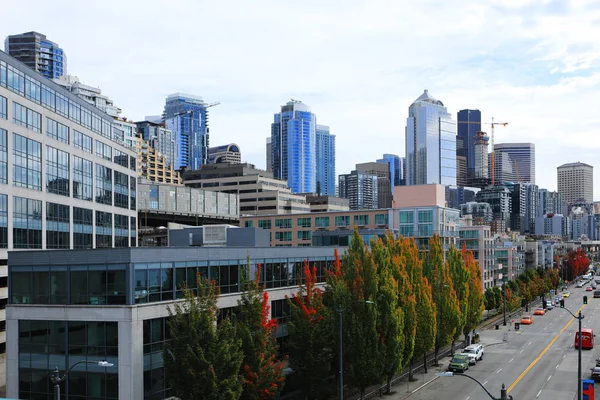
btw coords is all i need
(202, 360)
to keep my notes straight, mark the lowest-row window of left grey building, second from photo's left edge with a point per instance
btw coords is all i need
(27, 223)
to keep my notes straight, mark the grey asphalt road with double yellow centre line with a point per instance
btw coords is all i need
(537, 362)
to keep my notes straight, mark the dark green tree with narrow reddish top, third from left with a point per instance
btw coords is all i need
(310, 335)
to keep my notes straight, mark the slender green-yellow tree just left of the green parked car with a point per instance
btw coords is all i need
(444, 296)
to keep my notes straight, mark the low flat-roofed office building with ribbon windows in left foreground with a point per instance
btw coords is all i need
(112, 304)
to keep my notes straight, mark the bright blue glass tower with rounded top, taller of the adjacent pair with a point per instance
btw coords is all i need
(293, 137)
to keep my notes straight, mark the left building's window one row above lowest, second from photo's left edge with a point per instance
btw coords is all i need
(27, 163)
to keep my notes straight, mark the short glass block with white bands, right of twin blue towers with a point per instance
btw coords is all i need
(360, 189)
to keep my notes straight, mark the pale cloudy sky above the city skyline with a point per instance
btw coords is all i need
(358, 64)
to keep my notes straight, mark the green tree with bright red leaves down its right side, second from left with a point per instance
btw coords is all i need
(261, 371)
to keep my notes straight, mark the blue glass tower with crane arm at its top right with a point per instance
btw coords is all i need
(187, 117)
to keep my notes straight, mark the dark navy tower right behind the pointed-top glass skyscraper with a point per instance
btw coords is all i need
(468, 124)
